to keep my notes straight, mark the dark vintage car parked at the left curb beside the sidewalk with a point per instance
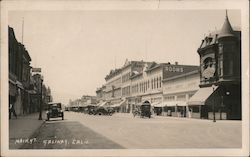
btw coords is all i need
(54, 110)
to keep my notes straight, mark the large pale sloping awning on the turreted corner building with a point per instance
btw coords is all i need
(200, 97)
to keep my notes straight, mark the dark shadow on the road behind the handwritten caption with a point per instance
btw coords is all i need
(58, 134)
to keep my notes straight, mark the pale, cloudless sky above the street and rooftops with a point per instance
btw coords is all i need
(77, 49)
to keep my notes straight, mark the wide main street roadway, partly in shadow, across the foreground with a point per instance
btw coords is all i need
(82, 131)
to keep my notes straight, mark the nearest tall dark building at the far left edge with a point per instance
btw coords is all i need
(19, 72)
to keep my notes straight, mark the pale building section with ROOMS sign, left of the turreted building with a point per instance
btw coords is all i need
(178, 89)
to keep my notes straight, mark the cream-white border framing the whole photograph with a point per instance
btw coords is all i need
(125, 5)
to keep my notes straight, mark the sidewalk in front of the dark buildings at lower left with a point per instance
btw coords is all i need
(23, 127)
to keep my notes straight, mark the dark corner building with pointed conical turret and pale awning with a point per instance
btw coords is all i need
(220, 75)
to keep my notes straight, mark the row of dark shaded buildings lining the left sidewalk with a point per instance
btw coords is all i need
(23, 86)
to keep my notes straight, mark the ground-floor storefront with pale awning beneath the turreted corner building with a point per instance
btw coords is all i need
(213, 102)
